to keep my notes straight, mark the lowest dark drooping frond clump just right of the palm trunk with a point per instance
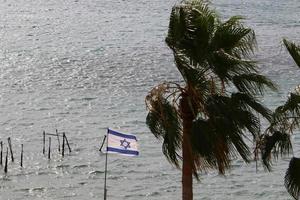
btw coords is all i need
(217, 141)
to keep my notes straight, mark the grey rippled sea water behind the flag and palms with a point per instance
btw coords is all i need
(82, 66)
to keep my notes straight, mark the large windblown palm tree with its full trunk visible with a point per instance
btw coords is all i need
(204, 118)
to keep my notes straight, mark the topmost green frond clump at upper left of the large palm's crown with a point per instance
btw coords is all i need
(190, 29)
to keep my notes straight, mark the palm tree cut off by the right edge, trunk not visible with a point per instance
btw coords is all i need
(285, 119)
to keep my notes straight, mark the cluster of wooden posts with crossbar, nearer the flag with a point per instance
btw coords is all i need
(65, 140)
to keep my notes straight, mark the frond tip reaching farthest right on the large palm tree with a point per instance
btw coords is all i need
(253, 83)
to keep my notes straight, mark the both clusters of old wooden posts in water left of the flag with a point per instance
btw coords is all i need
(57, 135)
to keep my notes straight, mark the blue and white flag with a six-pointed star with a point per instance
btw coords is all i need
(121, 143)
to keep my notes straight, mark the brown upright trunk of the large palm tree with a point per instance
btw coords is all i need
(187, 165)
